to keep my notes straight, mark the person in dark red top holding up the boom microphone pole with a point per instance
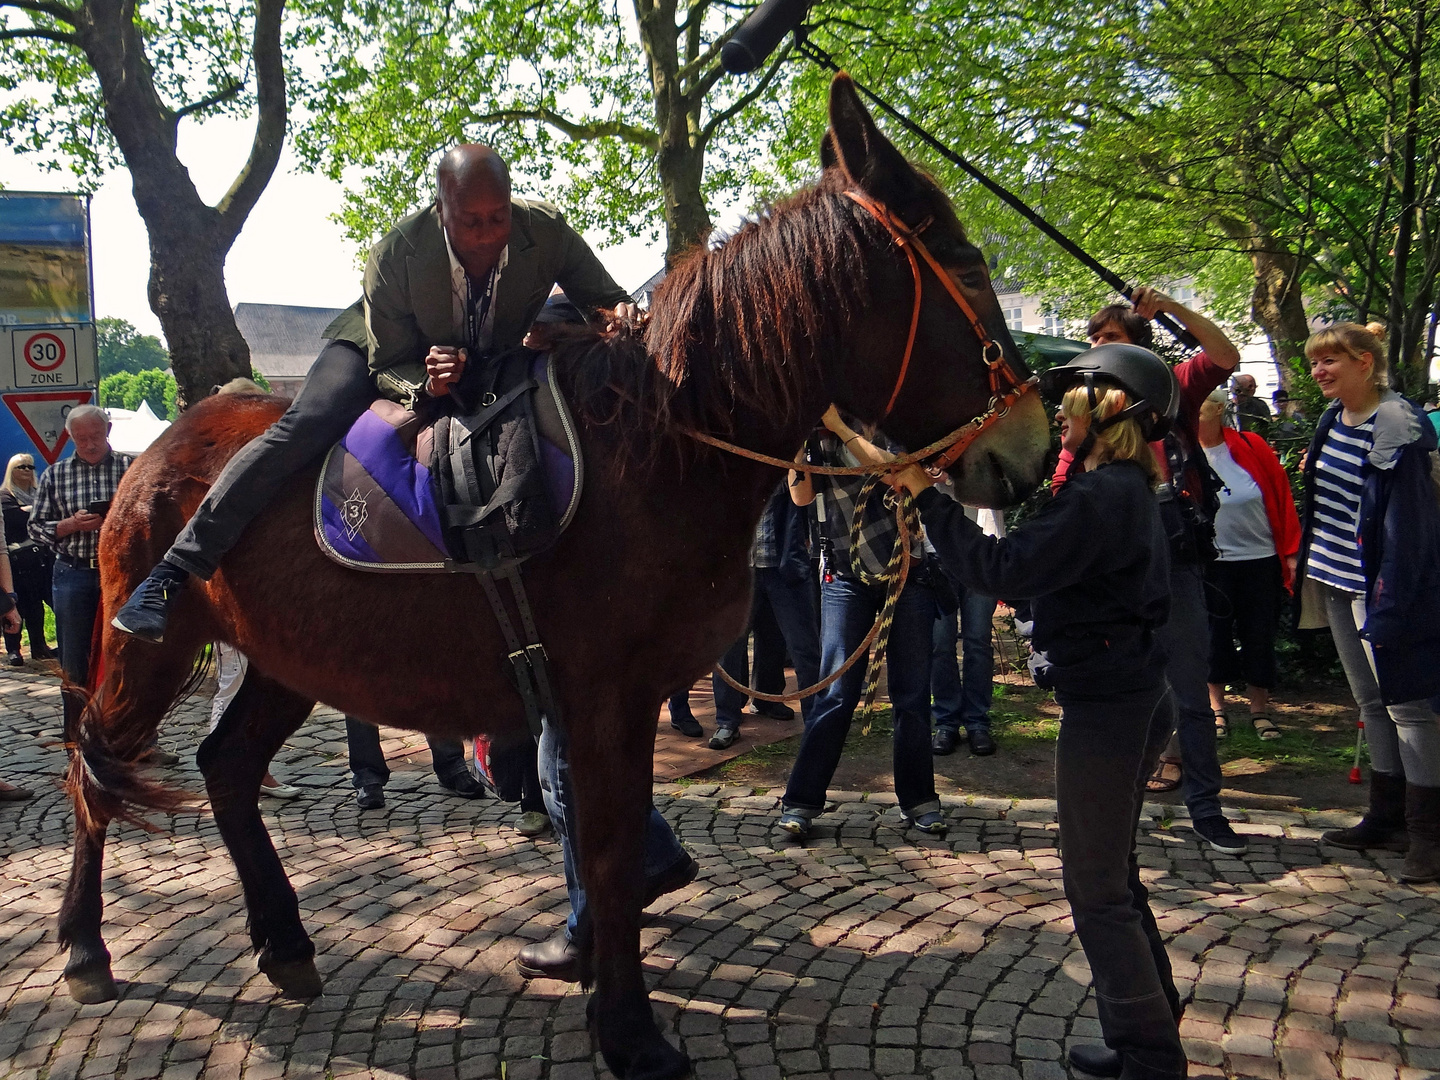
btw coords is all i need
(1192, 758)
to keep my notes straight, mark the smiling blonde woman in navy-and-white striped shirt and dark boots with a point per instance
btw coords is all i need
(1370, 565)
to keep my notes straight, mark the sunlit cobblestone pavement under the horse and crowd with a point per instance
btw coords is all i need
(868, 954)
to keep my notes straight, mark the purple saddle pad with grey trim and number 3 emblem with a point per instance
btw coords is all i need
(378, 503)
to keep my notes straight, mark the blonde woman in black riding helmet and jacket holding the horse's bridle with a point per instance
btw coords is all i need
(1095, 562)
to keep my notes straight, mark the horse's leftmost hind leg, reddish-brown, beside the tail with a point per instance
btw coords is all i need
(138, 692)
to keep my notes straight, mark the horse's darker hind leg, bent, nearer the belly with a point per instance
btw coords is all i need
(234, 760)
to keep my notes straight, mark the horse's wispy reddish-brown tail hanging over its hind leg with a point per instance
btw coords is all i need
(107, 744)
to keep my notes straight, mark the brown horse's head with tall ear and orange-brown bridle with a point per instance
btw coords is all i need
(924, 390)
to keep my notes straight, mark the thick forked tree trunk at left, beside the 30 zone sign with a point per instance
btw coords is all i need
(189, 240)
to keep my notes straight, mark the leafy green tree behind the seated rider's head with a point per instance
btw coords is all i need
(618, 113)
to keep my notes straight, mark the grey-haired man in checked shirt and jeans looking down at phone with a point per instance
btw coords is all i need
(67, 519)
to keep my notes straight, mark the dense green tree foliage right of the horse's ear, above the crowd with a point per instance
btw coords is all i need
(1284, 156)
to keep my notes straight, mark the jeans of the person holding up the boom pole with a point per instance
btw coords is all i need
(1186, 637)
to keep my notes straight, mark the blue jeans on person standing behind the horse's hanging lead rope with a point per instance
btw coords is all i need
(847, 611)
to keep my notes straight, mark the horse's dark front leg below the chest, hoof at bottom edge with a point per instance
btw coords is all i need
(611, 762)
